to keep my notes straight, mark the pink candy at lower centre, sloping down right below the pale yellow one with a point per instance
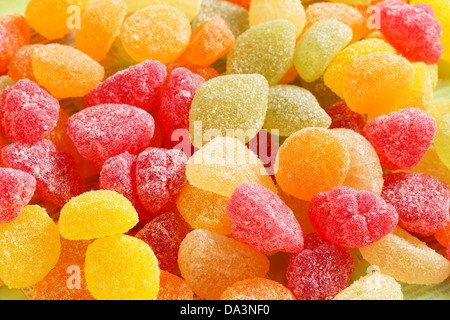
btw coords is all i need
(261, 219)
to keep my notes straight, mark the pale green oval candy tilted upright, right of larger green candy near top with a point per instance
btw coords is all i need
(318, 46)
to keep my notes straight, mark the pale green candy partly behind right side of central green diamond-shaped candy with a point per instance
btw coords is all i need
(292, 108)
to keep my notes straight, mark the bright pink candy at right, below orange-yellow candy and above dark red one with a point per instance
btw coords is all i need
(402, 137)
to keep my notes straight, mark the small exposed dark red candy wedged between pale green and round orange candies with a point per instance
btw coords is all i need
(342, 117)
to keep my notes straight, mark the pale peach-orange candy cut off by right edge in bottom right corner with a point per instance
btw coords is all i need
(407, 259)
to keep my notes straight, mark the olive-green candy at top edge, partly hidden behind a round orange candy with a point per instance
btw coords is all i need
(235, 16)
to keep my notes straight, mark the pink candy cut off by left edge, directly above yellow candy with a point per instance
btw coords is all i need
(16, 190)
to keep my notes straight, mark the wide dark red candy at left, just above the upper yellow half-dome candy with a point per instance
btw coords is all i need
(57, 179)
